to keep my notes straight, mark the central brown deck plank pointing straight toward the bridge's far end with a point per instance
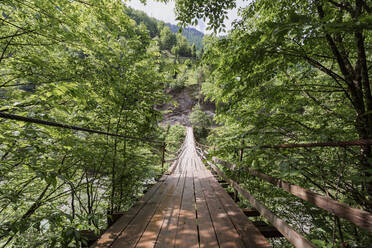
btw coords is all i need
(187, 232)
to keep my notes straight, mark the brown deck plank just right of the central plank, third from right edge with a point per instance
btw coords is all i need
(207, 233)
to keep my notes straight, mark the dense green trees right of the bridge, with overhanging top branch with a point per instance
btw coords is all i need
(290, 72)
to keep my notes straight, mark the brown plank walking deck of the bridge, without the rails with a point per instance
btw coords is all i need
(187, 209)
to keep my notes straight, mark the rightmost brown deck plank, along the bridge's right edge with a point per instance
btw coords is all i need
(249, 234)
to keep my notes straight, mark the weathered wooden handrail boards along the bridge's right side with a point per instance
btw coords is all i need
(358, 217)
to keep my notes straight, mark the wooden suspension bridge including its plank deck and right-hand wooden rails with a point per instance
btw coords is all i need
(189, 207)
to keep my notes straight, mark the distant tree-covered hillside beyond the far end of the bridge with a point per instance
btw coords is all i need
(179, 63)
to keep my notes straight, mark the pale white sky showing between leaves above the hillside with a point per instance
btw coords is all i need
(165, 12)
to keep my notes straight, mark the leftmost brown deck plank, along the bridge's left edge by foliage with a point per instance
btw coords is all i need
(115, 230)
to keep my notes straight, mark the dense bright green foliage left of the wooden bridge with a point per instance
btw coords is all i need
(85, 64)
